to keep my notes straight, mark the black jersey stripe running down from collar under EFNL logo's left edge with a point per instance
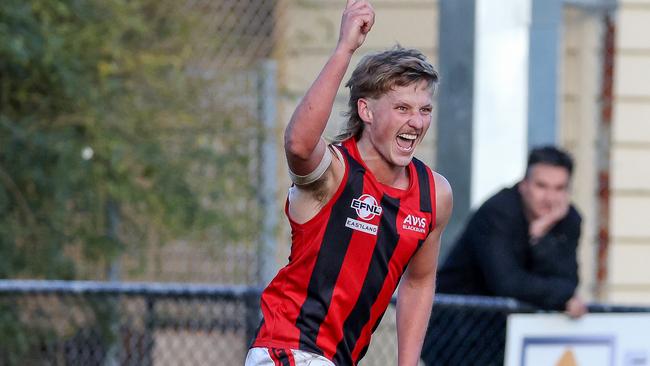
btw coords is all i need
(330, 259)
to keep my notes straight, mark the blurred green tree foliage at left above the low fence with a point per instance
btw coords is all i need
(105, 143)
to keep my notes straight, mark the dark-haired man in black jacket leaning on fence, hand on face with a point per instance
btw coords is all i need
(521, 243)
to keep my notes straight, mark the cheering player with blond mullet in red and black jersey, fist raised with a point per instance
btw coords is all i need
(360, 211)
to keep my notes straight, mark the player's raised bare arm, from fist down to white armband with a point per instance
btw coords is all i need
(303, 144)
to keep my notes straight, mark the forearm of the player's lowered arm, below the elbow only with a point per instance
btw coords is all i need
(414, 303)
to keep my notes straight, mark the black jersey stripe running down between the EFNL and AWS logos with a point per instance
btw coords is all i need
(377, 271)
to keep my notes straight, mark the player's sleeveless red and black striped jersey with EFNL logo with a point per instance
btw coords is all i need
(346, 262)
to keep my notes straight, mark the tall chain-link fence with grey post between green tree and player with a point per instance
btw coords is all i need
(231, 46)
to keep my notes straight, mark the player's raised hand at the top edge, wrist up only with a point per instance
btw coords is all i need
(356, 22)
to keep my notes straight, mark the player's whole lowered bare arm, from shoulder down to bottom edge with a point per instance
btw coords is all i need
(417, 287)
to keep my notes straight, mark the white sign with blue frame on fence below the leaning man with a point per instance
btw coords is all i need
(621, 339)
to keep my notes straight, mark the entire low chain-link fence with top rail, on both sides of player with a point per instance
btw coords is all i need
(91, 323)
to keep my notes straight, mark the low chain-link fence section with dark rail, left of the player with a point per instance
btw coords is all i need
(89, 323)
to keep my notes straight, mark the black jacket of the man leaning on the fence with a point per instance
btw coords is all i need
(494, 256)
